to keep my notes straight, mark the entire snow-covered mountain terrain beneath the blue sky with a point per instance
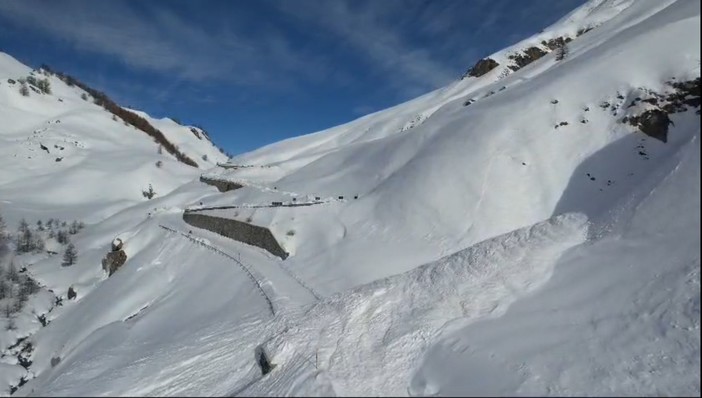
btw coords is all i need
(532, 229)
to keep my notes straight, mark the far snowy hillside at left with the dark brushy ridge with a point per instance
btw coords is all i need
(59, 150)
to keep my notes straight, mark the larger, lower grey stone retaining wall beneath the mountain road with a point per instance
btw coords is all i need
(250, 234)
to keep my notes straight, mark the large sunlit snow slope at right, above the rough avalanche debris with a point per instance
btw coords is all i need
(489, 156)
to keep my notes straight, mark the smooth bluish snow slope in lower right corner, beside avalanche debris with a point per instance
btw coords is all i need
(621, 316)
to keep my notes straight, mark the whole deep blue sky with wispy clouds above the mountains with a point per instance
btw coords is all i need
(255, 72)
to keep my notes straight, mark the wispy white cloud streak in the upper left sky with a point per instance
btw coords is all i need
(159, 40)
